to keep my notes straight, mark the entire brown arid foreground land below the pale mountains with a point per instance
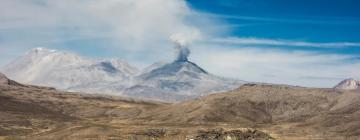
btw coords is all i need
(253, 111)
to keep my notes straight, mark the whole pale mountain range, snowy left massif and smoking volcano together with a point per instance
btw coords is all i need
(178, 80)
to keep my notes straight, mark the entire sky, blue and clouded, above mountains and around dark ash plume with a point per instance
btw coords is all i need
(309, 42)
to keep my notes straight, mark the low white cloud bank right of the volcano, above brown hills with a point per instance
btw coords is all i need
(277, 66)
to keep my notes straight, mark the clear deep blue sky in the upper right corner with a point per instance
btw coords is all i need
(305, 20)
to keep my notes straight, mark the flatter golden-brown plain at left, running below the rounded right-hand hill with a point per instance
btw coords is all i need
(32, 112)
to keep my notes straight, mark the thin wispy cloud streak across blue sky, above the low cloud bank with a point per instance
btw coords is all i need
(281, 42)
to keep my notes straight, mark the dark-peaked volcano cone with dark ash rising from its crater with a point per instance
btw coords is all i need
(181, 79)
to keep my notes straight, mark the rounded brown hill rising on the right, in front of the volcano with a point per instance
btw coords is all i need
(279, 108)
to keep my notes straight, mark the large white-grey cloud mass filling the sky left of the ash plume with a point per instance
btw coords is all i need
(134, 27)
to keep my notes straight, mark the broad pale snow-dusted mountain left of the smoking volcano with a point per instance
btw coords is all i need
(65, 70)
